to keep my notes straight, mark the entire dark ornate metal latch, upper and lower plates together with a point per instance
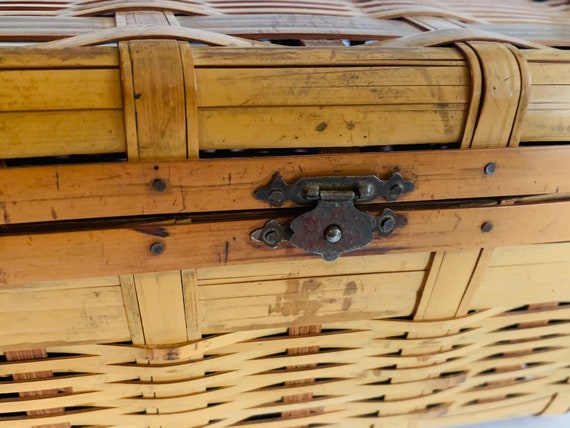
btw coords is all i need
(335, 226)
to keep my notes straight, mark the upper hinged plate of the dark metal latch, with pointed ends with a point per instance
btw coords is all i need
(307, 190)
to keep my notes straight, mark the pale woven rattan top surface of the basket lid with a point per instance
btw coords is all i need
(543, 22)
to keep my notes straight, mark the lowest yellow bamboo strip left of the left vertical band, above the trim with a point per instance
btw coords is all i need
(58, 133)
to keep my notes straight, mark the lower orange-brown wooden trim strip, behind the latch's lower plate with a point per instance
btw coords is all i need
(51, 256)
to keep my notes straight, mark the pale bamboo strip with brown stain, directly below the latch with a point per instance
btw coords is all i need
(307, 301)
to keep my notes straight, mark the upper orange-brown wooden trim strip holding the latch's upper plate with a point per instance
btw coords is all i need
(192, 186)
